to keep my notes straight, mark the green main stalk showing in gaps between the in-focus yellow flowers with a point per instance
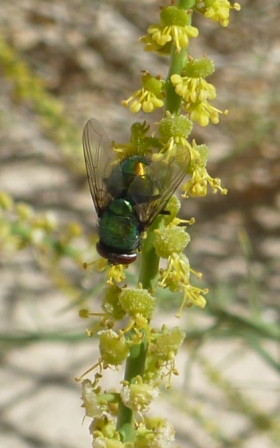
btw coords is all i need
(148, 274)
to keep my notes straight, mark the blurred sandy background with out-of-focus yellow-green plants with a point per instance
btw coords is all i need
(62, 63)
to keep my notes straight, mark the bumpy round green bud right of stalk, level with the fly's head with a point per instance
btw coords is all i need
(170, 240)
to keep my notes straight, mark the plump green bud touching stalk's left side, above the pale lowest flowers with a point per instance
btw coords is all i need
(114, 348)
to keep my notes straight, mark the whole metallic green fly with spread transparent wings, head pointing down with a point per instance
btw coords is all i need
(128, 193)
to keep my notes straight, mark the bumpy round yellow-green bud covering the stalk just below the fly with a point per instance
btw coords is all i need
(137, 301)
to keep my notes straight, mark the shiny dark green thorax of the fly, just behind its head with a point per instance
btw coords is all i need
(119, 227)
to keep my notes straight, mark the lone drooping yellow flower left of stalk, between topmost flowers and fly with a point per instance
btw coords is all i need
(149, 97)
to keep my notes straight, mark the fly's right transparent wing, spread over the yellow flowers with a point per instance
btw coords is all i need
(165, 175)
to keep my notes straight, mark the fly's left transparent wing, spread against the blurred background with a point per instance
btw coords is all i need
(99, 160)
